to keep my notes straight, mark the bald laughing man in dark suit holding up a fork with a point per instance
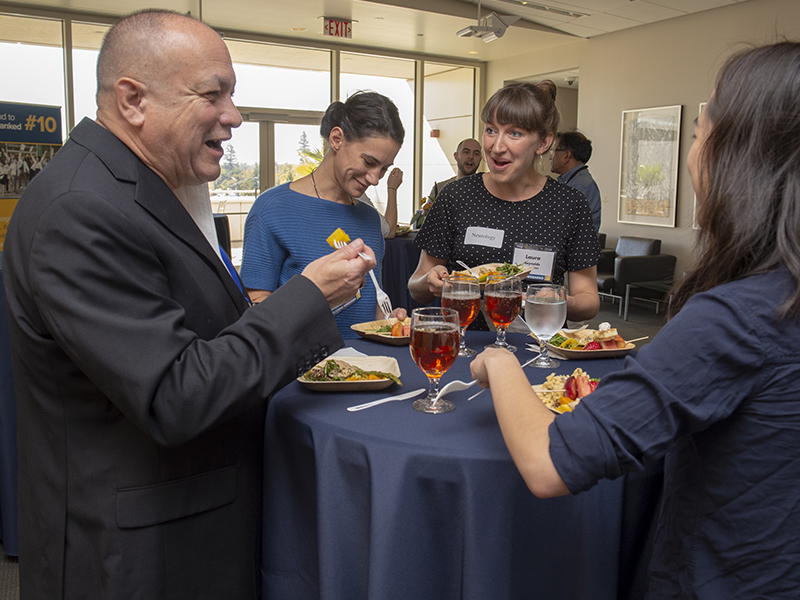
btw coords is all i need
(142, 376)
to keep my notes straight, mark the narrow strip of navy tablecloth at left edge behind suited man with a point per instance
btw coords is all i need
(8, 438)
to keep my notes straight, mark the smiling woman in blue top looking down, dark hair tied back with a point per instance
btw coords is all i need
(288, 226)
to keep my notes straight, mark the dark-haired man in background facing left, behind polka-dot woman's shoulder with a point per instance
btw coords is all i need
(572, 152)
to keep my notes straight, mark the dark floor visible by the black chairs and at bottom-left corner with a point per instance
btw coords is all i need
(642, 321)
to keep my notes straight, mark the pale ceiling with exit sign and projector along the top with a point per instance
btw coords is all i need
(418, 26)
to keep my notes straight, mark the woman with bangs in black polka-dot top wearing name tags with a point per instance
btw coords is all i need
(481, 218)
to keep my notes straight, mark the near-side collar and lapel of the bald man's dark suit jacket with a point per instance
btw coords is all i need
(154, 196)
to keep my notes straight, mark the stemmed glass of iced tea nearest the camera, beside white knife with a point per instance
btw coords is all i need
(434, 347)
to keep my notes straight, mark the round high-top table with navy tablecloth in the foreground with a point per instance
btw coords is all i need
(389, 503)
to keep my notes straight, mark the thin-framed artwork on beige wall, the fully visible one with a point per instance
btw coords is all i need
(648, 171)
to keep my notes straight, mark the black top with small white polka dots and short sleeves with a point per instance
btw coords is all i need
(558, 217)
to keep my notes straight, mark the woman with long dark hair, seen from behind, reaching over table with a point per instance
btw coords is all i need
(717, 392)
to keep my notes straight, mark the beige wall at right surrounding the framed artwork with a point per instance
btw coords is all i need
(667, 63)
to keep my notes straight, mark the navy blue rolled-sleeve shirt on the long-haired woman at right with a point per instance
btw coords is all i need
(717, 392)
